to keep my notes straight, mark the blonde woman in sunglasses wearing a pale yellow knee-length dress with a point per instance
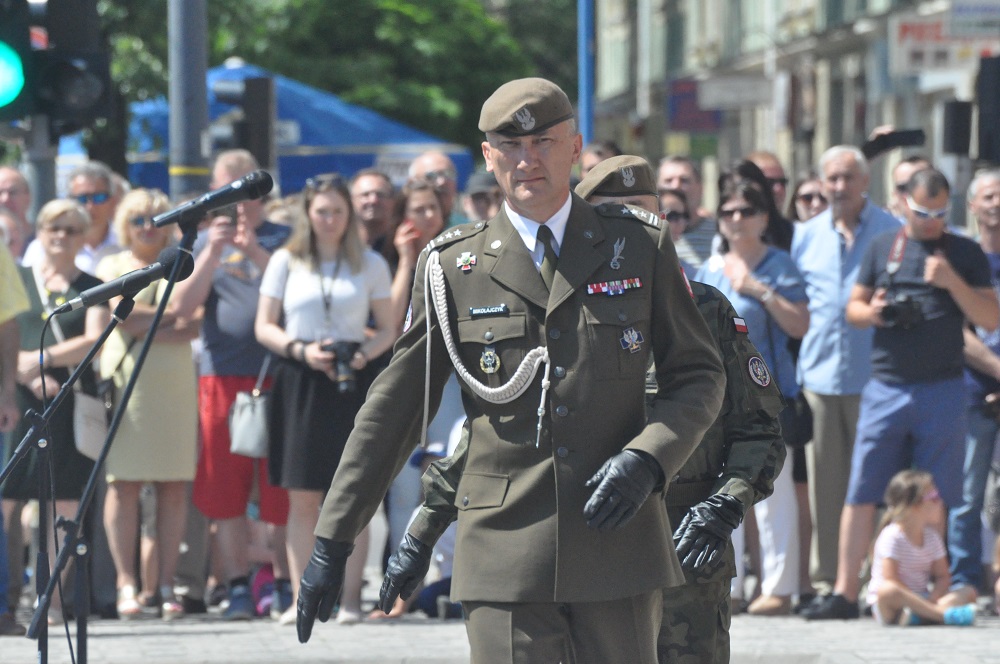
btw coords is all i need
(157, 441)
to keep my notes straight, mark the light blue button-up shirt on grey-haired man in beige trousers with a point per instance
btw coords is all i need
(835, 357)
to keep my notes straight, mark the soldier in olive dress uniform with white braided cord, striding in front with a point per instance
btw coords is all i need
(549, 313)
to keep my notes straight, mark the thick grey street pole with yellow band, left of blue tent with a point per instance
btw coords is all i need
(188, 61)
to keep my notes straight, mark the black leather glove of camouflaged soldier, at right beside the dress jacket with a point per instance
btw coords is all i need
(705, 530)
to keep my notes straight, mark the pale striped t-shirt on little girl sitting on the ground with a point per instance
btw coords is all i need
(914, 562)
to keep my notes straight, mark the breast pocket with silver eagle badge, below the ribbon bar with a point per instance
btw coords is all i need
(619, 336)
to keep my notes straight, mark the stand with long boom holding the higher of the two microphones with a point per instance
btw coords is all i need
(74, 542)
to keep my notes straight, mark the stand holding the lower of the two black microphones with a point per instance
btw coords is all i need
(33, 438)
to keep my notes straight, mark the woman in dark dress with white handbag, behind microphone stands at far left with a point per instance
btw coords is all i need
(52, 281)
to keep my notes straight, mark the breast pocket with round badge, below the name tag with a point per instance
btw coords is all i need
(492, 348)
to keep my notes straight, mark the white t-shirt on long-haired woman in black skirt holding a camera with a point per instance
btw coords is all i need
(350, 295)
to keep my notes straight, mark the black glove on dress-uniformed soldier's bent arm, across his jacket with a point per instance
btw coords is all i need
(623, 484)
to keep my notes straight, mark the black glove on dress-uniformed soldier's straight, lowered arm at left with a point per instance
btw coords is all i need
(320, 585)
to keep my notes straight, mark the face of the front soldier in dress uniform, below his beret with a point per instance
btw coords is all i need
(533, 171)
